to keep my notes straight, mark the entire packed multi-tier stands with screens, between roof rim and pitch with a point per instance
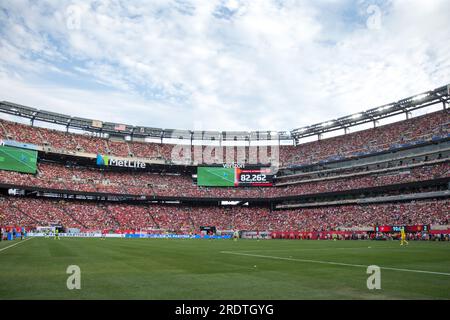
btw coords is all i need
(393, 174)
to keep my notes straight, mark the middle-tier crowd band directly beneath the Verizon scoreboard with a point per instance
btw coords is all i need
(58, 176)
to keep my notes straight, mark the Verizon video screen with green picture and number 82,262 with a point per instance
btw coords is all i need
(234, 177)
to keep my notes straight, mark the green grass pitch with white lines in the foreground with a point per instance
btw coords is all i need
(223, 269)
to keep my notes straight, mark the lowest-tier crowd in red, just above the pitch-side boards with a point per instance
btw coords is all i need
(180, 218)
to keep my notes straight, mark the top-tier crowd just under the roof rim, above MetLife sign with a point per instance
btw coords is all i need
(422, 128)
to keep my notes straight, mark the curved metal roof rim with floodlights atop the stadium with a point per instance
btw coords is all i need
(439, 95)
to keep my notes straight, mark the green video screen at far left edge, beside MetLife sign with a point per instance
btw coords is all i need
(16, 159)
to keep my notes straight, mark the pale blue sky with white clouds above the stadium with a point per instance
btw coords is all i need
(220, 64)
